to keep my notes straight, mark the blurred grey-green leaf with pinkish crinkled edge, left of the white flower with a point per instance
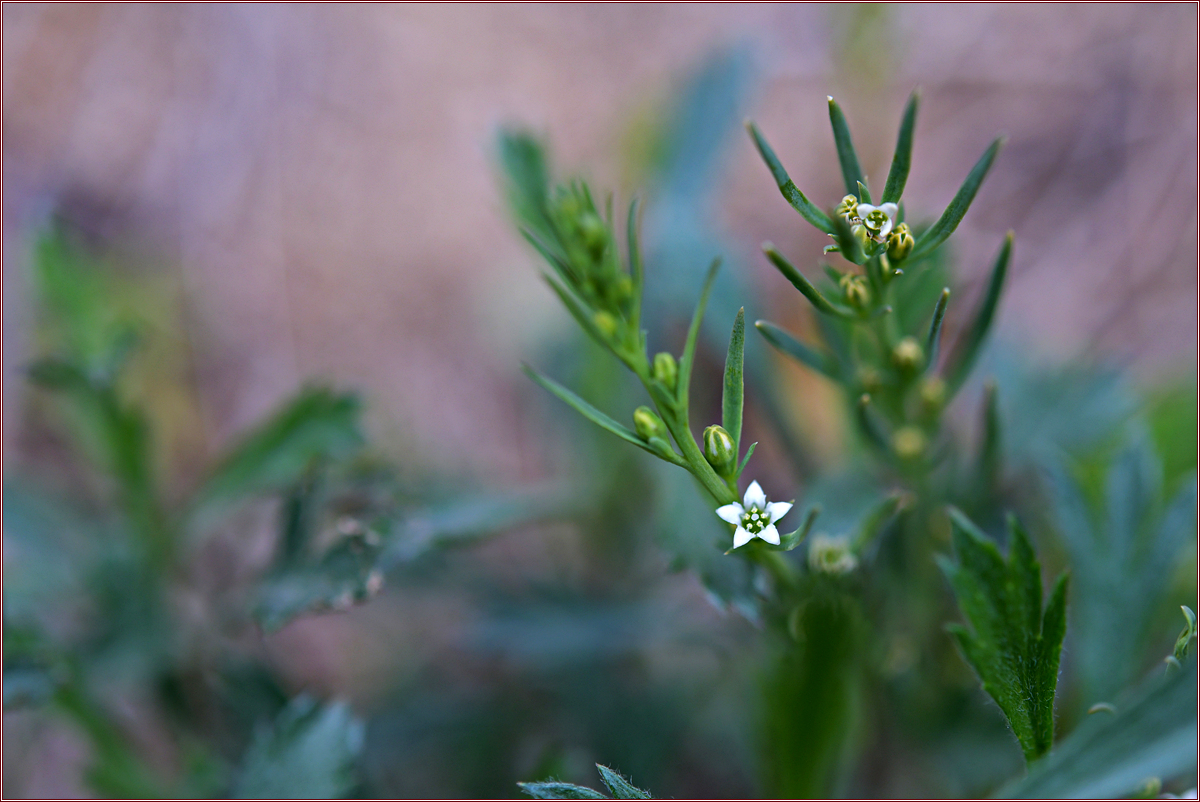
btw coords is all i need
(346, 576)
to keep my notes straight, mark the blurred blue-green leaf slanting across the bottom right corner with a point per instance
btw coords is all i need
(1154, 734)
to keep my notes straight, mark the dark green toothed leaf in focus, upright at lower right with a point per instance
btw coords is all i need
(1012, 644)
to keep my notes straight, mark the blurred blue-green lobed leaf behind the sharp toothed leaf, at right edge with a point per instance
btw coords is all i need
(1123, 556)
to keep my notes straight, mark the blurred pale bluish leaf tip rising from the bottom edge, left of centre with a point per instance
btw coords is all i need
(310, 753)
